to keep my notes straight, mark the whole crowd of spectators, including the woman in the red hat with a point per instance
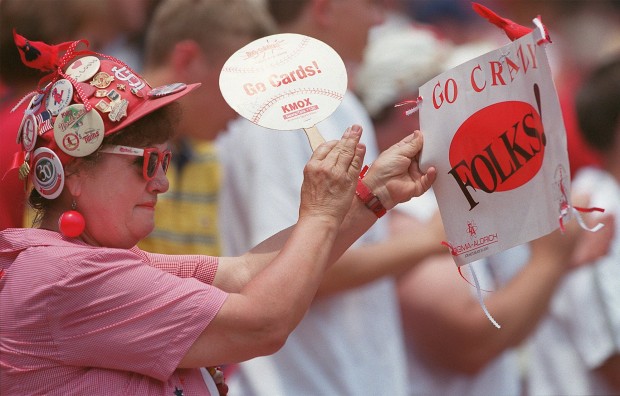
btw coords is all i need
(215, 256)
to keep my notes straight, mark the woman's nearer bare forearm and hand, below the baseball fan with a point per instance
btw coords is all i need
(287, 267)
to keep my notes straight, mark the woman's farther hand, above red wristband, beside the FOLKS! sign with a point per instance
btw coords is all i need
(396, 176)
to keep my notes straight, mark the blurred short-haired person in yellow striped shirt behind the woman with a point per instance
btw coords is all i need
(191, 40)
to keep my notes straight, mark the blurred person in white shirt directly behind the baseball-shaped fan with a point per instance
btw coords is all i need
(350, 342)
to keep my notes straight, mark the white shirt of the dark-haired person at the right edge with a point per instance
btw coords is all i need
(583, 326)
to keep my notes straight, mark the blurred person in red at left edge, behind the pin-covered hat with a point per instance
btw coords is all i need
(40, 21)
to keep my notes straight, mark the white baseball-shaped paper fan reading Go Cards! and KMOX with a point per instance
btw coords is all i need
(285, 82)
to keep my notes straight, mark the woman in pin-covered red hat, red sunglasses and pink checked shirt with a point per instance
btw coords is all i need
(85, 311)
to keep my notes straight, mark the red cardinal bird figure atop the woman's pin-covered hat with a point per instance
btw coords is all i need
(39, 55)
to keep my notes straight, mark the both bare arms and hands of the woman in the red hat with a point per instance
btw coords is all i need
(279, 278)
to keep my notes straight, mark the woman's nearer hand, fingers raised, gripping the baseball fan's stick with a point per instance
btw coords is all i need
(331, 175)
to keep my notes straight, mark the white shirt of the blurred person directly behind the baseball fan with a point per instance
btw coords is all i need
(347, 344)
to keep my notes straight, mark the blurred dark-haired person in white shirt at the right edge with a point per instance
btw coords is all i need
(576, 350)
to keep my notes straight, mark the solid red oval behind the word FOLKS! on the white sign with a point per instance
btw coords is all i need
(499, 148)
